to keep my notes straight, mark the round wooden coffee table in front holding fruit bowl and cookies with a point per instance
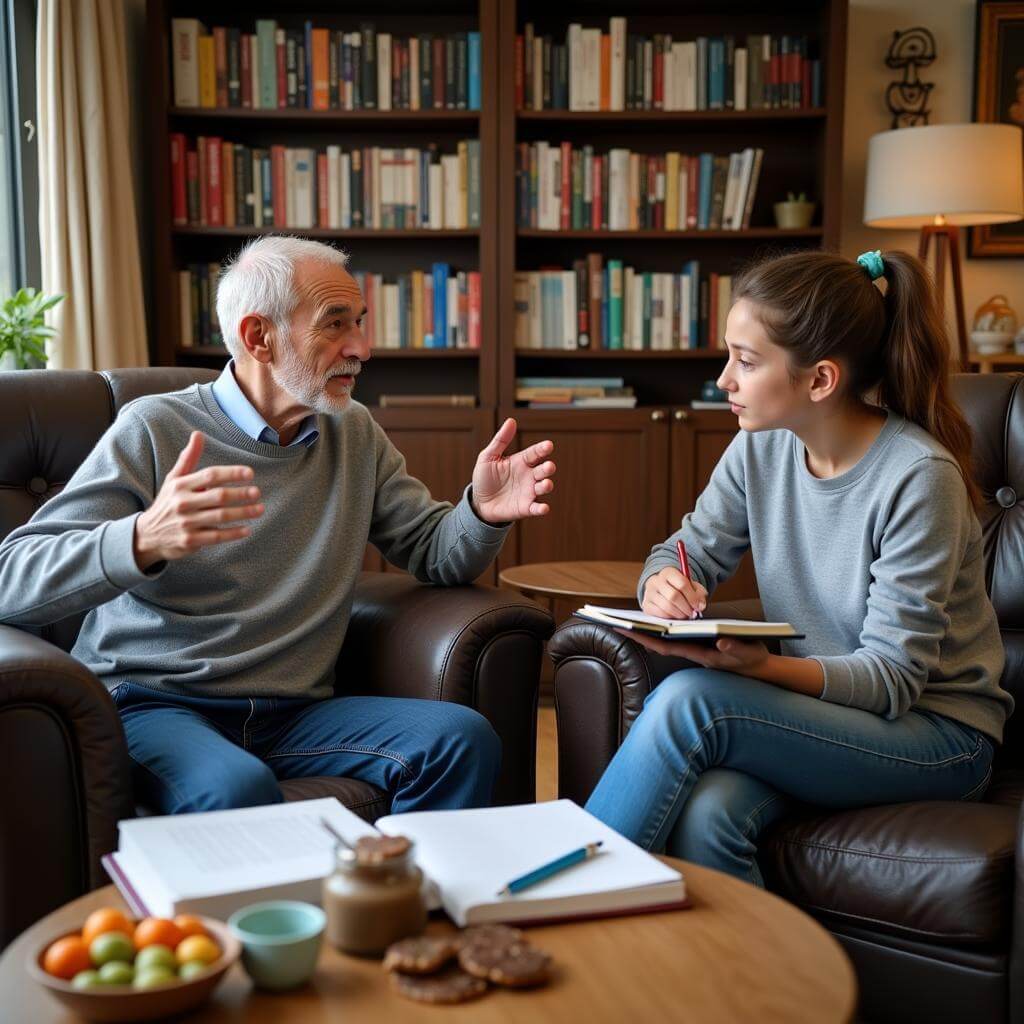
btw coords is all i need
(738, 955)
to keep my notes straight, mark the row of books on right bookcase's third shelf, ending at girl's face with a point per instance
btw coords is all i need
(613, 307)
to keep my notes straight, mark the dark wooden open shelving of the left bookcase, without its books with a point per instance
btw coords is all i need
(386, 251)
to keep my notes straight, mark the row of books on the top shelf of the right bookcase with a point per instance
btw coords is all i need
(620, 71)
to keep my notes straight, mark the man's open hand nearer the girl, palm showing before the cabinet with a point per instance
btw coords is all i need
(507, 488)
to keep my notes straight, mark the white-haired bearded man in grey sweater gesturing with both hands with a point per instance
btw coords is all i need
(216, 536)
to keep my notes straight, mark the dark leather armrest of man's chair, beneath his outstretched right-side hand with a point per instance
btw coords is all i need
(479, 647)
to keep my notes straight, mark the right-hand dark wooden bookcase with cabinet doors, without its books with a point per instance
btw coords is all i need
(646, 467)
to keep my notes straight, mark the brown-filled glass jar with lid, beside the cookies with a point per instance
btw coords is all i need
(374, 897)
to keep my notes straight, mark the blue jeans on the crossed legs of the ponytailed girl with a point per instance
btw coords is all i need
(714, 758)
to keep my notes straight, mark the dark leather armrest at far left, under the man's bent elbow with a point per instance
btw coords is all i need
(65, 779)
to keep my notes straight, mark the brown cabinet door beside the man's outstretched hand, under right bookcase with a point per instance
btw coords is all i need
(611, 498)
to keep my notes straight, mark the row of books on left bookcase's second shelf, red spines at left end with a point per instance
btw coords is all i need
(218, 183)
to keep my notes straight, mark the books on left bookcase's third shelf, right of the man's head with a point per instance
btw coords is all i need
(436, 309)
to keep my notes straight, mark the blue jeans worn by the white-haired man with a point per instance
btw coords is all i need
(202, 754)
